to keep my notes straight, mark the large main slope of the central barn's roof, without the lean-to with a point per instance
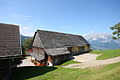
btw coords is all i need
(51, 39)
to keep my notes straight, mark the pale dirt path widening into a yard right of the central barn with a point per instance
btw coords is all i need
(91, 62)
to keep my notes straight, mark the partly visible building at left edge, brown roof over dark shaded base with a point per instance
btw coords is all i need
(9, 49)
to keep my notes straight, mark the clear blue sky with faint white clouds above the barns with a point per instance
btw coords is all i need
(69, 16)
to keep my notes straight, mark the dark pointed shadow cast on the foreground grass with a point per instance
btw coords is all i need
(22, 73)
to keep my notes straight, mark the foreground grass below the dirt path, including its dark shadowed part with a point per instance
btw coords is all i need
(109, 72)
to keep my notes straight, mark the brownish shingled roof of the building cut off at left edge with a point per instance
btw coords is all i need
(9, 40)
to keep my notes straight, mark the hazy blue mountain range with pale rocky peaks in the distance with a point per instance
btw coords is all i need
(102, 41)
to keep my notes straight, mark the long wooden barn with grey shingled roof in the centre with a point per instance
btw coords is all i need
(51, 48)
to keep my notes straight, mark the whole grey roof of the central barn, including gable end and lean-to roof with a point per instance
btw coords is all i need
(55, 43)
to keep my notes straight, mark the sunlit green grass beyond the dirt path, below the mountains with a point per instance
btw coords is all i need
(107, 54)
